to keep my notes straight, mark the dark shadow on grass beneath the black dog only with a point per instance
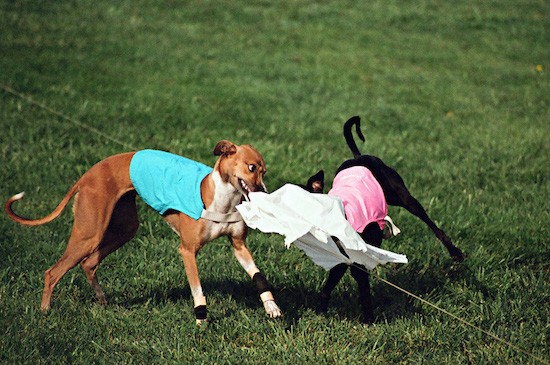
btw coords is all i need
(446, 280)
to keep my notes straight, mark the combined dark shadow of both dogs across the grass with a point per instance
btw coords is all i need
(297, 301)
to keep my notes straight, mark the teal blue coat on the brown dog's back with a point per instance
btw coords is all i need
(167, 181)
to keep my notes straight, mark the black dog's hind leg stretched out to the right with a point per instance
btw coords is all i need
(397, 194)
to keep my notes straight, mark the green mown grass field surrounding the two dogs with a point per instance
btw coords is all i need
(453, 94)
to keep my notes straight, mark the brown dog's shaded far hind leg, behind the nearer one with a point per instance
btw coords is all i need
(122, 228)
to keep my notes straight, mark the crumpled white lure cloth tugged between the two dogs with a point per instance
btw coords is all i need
(309, 221)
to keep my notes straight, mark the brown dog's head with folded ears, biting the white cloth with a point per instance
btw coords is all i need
(241, 166)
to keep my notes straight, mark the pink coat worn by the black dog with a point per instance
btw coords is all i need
(362, 196)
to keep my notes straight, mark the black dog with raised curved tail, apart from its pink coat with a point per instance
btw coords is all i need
(396, 194)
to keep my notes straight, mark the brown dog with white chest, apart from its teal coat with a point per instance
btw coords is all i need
(105, 217)
